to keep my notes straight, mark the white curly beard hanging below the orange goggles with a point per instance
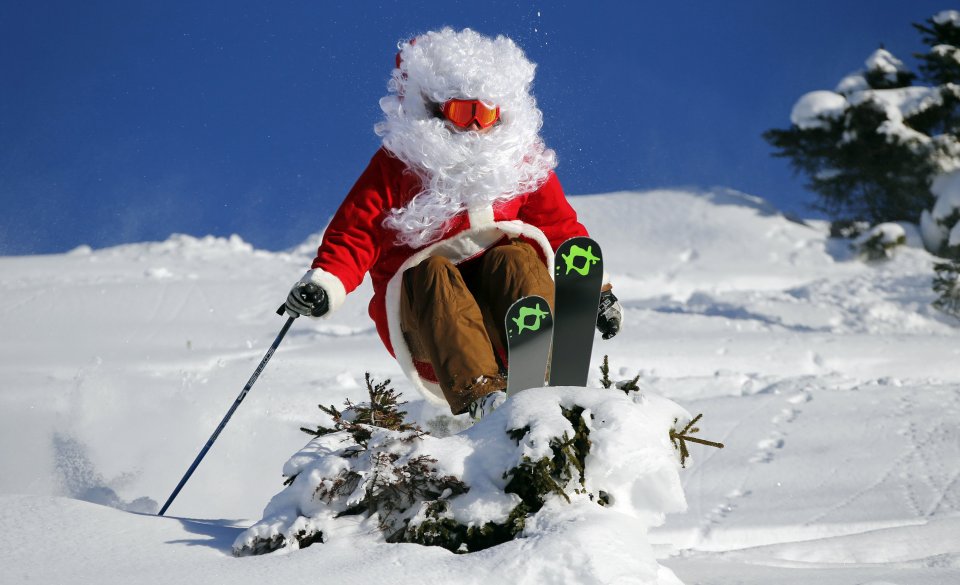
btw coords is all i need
(461, 171)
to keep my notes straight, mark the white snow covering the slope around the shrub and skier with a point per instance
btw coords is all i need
(832, 382)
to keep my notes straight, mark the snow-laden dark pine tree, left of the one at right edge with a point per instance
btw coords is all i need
(859, 147)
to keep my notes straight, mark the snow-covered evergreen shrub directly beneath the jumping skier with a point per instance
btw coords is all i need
(502, 479)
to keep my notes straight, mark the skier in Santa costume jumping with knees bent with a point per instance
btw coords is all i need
(457, 215)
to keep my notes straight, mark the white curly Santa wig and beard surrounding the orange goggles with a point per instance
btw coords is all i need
(461, 170)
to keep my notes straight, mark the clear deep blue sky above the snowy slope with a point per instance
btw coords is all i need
(125, 121)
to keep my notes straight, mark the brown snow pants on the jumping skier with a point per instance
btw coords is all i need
(452, 315)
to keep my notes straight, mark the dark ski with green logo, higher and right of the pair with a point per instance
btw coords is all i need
(578, 276)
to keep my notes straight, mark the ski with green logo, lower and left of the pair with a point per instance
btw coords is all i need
(529, 325)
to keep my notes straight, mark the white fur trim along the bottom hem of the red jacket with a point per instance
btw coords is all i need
(490, 232)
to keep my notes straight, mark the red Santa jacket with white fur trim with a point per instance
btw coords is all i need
(356, 242)
